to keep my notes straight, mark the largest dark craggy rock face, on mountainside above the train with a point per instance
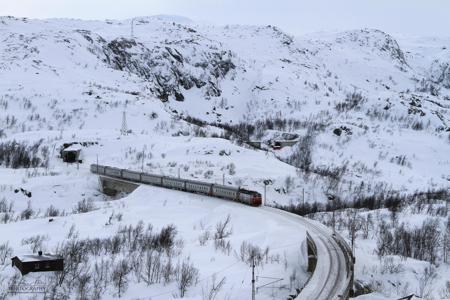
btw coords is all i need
(165, 68)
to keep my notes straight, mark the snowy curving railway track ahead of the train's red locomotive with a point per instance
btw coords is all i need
(332, 278)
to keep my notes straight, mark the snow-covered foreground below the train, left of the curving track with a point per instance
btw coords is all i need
(194, 217)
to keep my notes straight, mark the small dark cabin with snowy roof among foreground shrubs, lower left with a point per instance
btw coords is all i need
(38, 263)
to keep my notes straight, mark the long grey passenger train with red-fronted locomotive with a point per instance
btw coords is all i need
(232, 193)
